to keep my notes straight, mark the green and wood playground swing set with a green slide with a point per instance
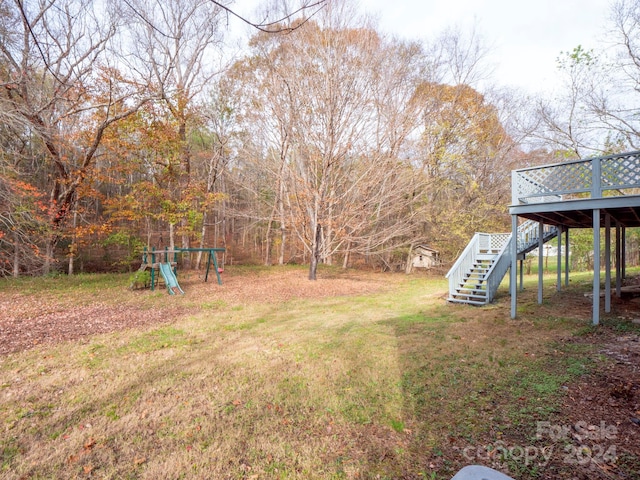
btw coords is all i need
(160, 260)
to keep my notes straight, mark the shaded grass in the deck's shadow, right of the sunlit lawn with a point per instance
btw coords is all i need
(476, 384)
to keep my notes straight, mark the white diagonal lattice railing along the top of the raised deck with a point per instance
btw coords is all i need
(591, 176)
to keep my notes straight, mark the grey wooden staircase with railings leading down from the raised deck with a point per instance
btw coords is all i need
(475, 277)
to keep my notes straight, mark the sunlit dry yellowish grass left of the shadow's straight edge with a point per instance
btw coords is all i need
(237, 386)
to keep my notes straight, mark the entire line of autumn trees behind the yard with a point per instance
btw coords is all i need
(127, 123)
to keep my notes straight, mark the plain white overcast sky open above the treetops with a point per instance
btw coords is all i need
(526, 36)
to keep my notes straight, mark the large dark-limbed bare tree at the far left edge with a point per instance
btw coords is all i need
(59, 85)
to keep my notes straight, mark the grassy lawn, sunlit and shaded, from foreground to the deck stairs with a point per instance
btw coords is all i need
(396, 384)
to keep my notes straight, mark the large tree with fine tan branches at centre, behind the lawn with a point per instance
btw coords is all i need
(332, 107)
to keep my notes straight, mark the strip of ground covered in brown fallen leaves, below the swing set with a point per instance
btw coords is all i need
(49, 317)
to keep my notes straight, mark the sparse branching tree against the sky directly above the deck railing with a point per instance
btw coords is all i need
(595, 110)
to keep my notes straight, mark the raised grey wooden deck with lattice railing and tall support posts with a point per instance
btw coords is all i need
(602, 192)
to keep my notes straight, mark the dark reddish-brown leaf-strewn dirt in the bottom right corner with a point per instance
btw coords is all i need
(600, 414)
